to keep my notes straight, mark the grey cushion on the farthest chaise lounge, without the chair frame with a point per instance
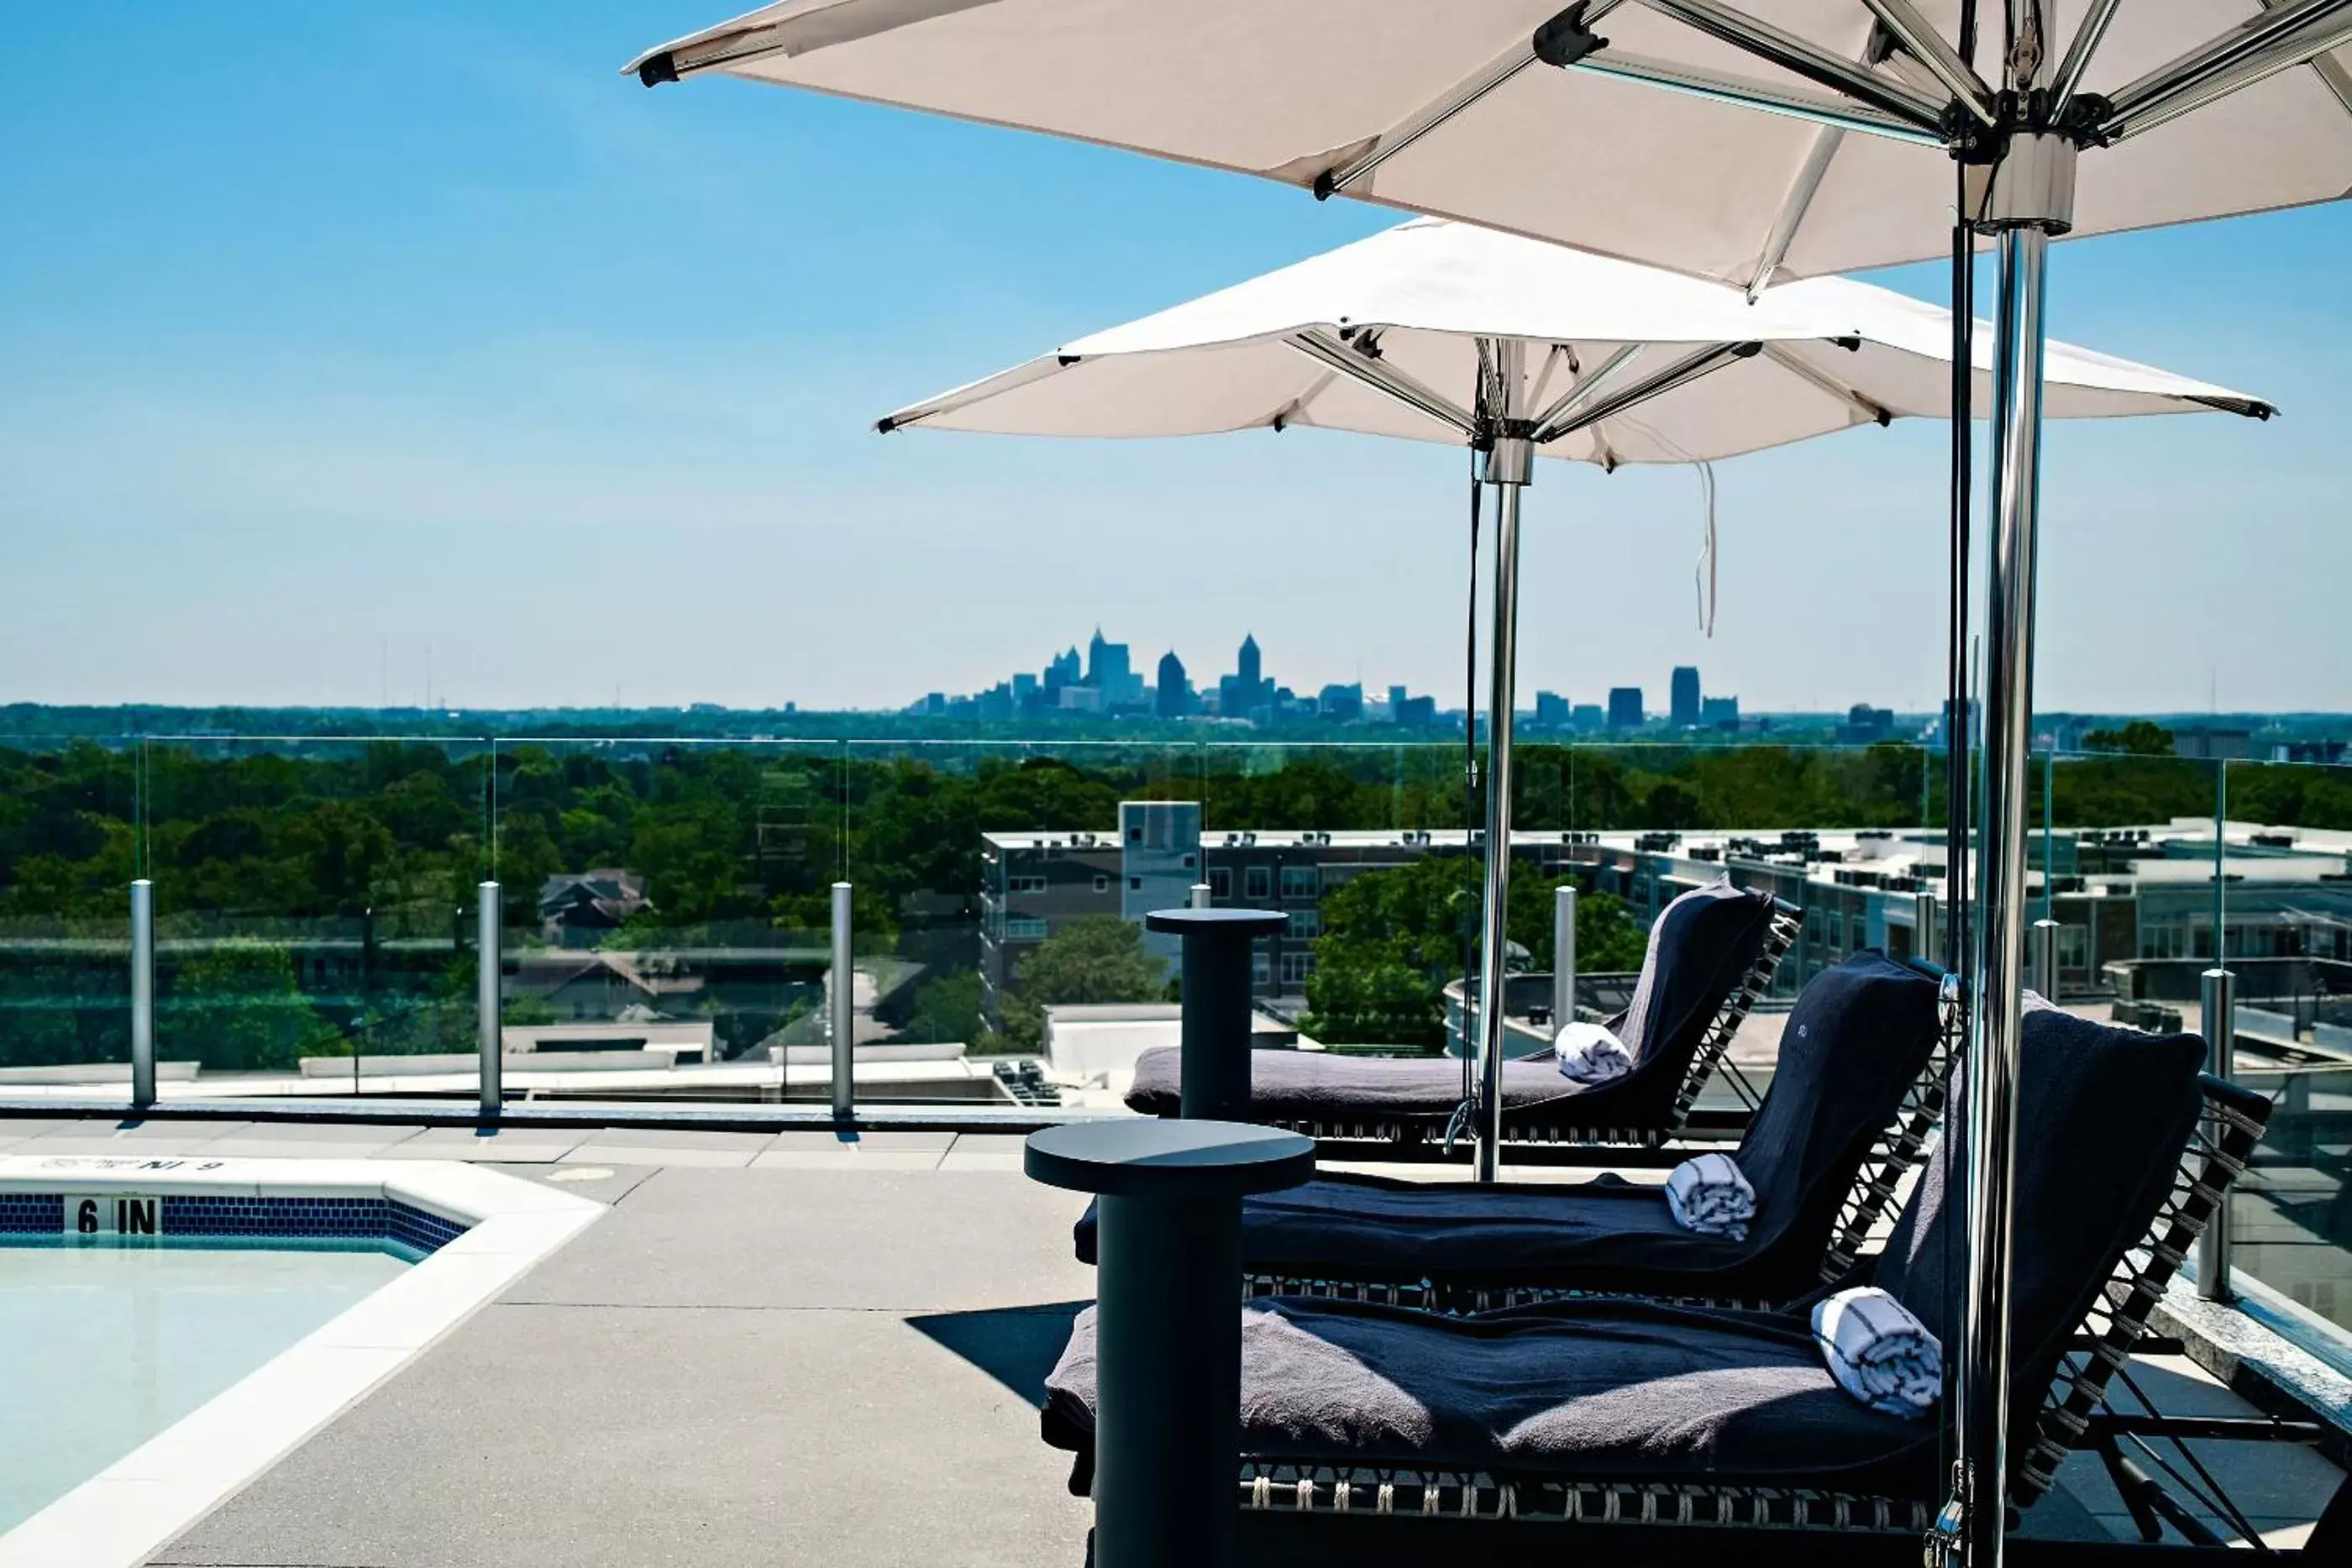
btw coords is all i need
(1699, 951)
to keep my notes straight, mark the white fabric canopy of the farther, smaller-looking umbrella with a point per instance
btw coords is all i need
(1297, 347)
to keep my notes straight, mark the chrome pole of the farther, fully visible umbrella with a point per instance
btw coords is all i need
(1509, 464)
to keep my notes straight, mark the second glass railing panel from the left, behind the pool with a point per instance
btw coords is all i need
(314, 913)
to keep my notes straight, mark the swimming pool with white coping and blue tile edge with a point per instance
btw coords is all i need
(173, 1327)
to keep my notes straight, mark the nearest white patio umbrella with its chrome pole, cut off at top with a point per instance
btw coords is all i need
(2062, 116)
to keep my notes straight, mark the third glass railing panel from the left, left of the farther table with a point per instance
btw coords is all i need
(667, 913)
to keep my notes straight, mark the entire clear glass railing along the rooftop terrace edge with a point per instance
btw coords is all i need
(664, 920)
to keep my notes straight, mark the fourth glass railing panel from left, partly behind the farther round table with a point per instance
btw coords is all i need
(1001, 885)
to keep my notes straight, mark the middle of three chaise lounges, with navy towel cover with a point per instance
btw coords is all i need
(1852, 1104)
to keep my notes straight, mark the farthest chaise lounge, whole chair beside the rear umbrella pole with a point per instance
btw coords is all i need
(1711, 958)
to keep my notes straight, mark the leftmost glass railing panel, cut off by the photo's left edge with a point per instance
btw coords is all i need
(69, 850)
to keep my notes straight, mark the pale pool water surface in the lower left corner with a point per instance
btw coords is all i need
(107, 1346)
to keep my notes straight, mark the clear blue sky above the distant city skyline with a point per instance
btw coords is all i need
(335, 335)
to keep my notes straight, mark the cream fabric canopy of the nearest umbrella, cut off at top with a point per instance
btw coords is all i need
(1546, 119)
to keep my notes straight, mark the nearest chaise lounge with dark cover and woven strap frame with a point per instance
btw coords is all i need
(1666, 1423)
